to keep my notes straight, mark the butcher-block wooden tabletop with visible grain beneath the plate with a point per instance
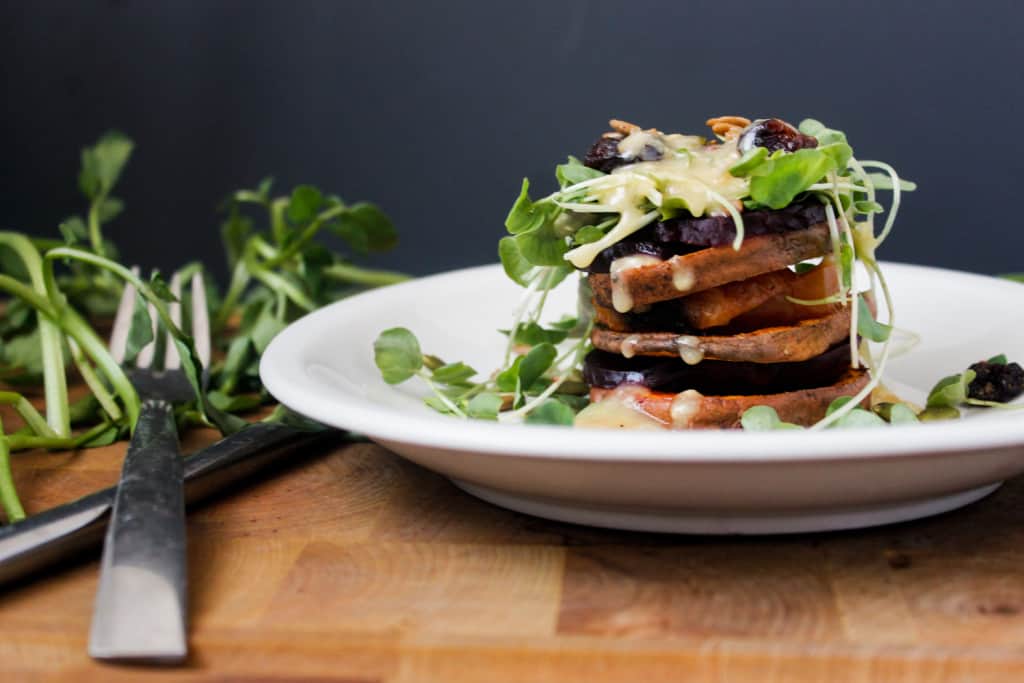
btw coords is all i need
(356, 566)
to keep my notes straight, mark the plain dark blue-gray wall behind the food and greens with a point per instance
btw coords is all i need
(436, 111)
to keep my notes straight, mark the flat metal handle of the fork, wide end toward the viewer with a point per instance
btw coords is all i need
(141, 605)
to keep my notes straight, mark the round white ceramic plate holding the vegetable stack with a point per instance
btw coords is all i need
(700, 482)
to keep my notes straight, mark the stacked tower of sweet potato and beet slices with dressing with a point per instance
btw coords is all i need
(707, 303)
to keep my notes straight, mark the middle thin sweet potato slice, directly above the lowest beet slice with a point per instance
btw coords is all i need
(804, 340)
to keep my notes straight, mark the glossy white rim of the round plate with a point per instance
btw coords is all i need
(281, 366)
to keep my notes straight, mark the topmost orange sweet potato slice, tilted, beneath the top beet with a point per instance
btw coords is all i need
(700, 271)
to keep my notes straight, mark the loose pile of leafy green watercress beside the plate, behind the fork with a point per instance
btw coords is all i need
(60, 292)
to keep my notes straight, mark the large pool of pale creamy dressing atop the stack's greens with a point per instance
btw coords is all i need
(688, 177)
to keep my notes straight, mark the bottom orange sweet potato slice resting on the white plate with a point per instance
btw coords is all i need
(691, 410)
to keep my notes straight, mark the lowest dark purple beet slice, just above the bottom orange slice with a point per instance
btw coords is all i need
(607, 371)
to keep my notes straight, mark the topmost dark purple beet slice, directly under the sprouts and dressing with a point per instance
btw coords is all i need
(687, 234)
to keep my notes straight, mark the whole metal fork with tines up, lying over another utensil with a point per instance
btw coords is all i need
(142, 604)
